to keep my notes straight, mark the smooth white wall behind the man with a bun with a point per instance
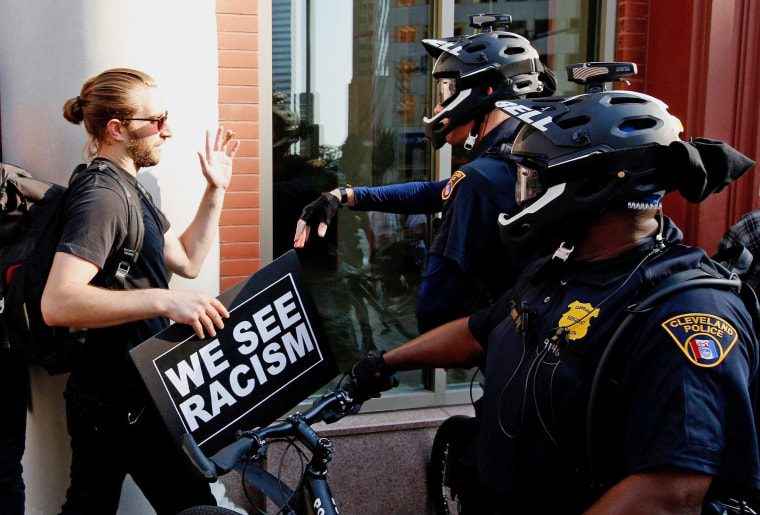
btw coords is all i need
(48, 48)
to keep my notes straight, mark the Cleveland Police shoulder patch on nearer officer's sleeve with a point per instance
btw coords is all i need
(705, 339)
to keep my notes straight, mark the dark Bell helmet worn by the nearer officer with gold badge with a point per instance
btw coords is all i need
(578, 156)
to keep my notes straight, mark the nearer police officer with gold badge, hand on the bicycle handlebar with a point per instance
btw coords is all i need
(678, 426)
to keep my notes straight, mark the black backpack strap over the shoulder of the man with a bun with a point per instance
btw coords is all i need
(130, 250)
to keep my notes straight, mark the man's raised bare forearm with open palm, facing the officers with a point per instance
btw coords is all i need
(185, 254)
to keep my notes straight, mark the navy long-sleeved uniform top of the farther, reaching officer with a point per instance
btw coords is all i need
(467, 266)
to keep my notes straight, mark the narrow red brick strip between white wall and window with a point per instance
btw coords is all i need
(237, 25)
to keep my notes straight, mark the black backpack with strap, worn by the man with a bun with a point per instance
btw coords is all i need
(31, 222)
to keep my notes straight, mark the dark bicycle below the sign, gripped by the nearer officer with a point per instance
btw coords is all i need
(312, 495)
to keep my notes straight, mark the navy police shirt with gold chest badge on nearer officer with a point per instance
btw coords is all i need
(685, 395)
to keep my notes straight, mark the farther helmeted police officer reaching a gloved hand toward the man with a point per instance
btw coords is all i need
(464, 254)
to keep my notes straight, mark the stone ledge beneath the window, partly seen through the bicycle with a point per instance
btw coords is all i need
(380, 461)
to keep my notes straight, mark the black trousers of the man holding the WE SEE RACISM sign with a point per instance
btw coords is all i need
(106, 447)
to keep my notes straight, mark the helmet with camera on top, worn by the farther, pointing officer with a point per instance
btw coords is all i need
(466, 66)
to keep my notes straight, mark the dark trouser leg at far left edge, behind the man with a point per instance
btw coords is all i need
(14, 387)
